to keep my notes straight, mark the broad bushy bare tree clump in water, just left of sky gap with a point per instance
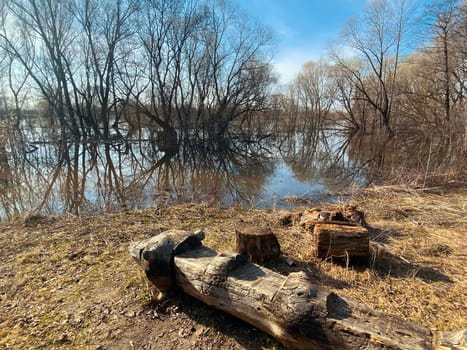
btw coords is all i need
(207, 65)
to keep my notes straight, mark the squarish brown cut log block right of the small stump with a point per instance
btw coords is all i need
(341, 241)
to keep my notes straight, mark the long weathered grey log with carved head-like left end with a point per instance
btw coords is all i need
(298, 313)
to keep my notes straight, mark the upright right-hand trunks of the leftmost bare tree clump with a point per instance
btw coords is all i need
(106, 27)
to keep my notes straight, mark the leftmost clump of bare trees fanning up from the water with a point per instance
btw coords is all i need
(70, 50)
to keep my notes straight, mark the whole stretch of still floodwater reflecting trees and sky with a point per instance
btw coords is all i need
(39, 175)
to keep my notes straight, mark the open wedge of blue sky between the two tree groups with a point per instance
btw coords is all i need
(304, 28)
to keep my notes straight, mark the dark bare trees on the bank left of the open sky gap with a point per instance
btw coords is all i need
(186, 65)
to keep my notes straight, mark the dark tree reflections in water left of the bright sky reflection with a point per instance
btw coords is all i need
(89, 177)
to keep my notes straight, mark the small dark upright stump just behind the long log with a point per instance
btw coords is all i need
(257, 243)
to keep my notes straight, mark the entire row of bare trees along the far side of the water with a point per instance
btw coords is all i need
(199, 66)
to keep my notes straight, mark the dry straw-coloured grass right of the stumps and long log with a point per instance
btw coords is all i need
(427, 230)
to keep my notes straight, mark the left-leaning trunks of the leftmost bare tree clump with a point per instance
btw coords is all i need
(40, 38)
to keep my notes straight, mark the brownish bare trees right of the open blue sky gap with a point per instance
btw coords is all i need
(374, 79)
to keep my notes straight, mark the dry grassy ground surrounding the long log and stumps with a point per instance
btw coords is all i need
(69, 282)
